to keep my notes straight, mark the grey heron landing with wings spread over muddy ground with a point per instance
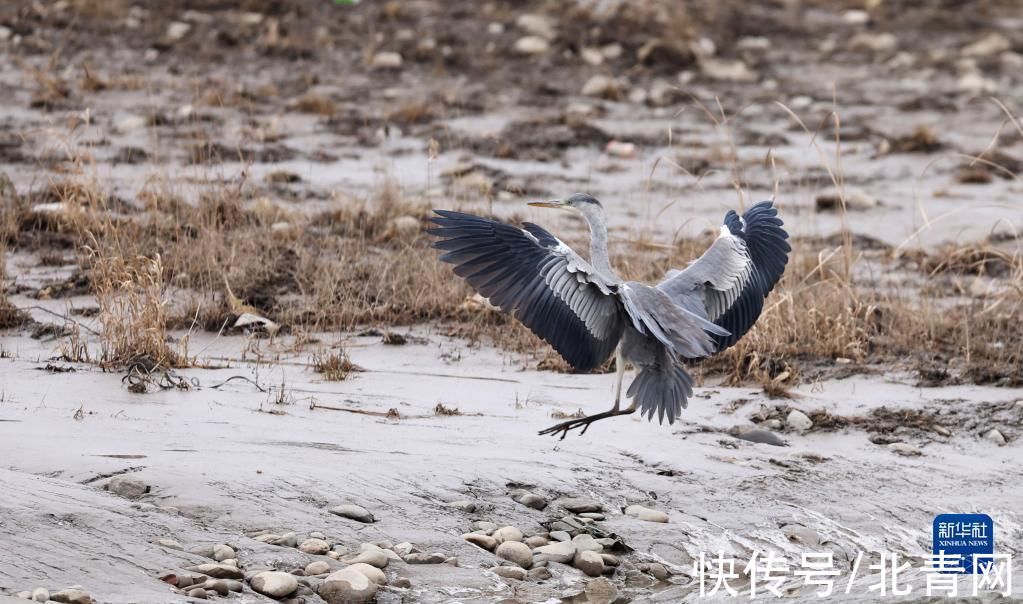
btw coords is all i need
(587, 313)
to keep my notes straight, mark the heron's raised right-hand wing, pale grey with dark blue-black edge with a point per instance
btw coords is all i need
(729, 284)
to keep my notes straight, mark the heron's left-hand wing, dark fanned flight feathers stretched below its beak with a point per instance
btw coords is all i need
(535, 277)
